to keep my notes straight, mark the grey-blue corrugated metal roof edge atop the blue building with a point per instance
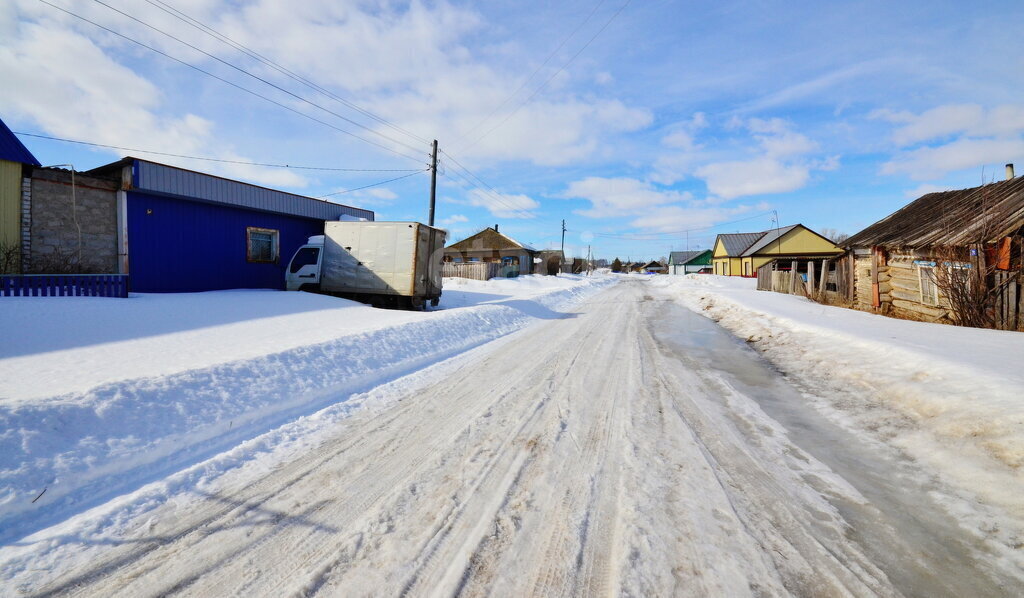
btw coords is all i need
(169, 181)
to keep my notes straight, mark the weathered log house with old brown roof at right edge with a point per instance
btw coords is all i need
(899, 261)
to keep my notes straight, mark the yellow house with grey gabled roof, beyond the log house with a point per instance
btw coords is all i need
(734, 259)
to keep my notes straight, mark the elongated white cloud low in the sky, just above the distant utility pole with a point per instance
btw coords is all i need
(611, 198)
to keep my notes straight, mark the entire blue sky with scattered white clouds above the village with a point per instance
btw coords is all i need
(647, 126)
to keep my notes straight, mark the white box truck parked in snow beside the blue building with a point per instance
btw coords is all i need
(388, 265)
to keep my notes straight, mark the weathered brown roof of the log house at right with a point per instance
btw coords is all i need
(986, 213)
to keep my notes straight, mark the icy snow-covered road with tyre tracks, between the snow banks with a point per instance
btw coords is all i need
(628, 448)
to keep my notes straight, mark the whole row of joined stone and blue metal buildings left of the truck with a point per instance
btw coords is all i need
(172, 230)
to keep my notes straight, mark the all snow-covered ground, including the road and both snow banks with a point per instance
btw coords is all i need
(283, 444)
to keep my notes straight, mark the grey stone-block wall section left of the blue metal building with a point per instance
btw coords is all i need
(54, 246)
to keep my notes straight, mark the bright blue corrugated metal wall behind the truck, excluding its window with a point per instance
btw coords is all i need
(181, 246)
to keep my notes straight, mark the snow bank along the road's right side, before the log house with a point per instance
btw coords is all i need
(952, 398)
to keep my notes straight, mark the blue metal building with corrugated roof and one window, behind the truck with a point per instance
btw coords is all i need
(183, 231)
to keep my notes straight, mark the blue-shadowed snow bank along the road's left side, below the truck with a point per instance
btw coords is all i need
(101, 396)
